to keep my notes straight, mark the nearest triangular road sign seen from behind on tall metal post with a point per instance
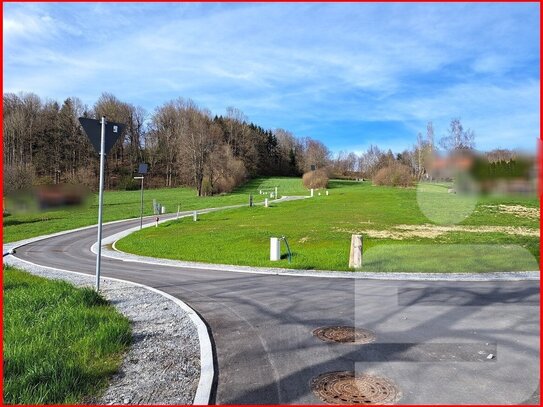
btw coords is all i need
(103, 136)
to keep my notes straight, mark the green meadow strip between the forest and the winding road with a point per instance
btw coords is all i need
(126, 204)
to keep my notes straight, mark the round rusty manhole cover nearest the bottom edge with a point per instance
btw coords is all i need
(346, 388)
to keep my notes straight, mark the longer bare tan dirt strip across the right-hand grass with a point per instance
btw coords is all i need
(402, 232)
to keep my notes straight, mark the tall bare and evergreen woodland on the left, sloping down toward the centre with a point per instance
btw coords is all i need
(182, 143)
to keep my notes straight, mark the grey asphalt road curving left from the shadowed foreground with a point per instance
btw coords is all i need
(433, 338)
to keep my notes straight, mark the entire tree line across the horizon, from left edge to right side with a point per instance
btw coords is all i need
(184, 144)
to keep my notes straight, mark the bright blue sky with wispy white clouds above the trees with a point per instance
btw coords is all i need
(350, 74)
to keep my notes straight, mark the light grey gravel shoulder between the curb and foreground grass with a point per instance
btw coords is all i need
(162, 365)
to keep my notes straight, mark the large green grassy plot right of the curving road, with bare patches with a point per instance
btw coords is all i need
(500, 234)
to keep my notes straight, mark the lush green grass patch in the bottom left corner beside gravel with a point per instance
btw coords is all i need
(61, 343)
